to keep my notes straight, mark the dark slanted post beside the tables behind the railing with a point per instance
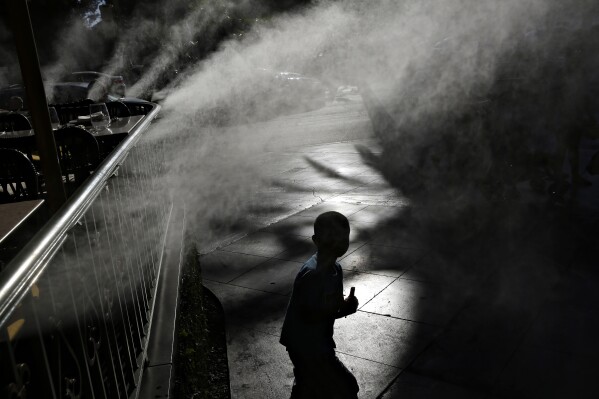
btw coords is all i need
(18, 13)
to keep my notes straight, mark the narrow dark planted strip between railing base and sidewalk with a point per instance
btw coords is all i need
(201, 368)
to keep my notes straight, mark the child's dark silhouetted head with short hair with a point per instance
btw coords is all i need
(331, 233)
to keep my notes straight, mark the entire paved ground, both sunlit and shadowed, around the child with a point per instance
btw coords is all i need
(492, 299)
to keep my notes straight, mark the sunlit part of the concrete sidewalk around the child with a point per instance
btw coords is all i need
(253, 276)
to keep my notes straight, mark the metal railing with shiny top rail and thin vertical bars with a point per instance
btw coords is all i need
(76, 302)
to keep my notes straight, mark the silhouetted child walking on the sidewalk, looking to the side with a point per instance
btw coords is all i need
(316, 301)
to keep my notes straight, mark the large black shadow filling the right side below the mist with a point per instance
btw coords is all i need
(500, 203)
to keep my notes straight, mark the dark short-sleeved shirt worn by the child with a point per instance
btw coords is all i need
(313, 308)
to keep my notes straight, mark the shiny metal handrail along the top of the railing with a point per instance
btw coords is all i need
(31, 261)
